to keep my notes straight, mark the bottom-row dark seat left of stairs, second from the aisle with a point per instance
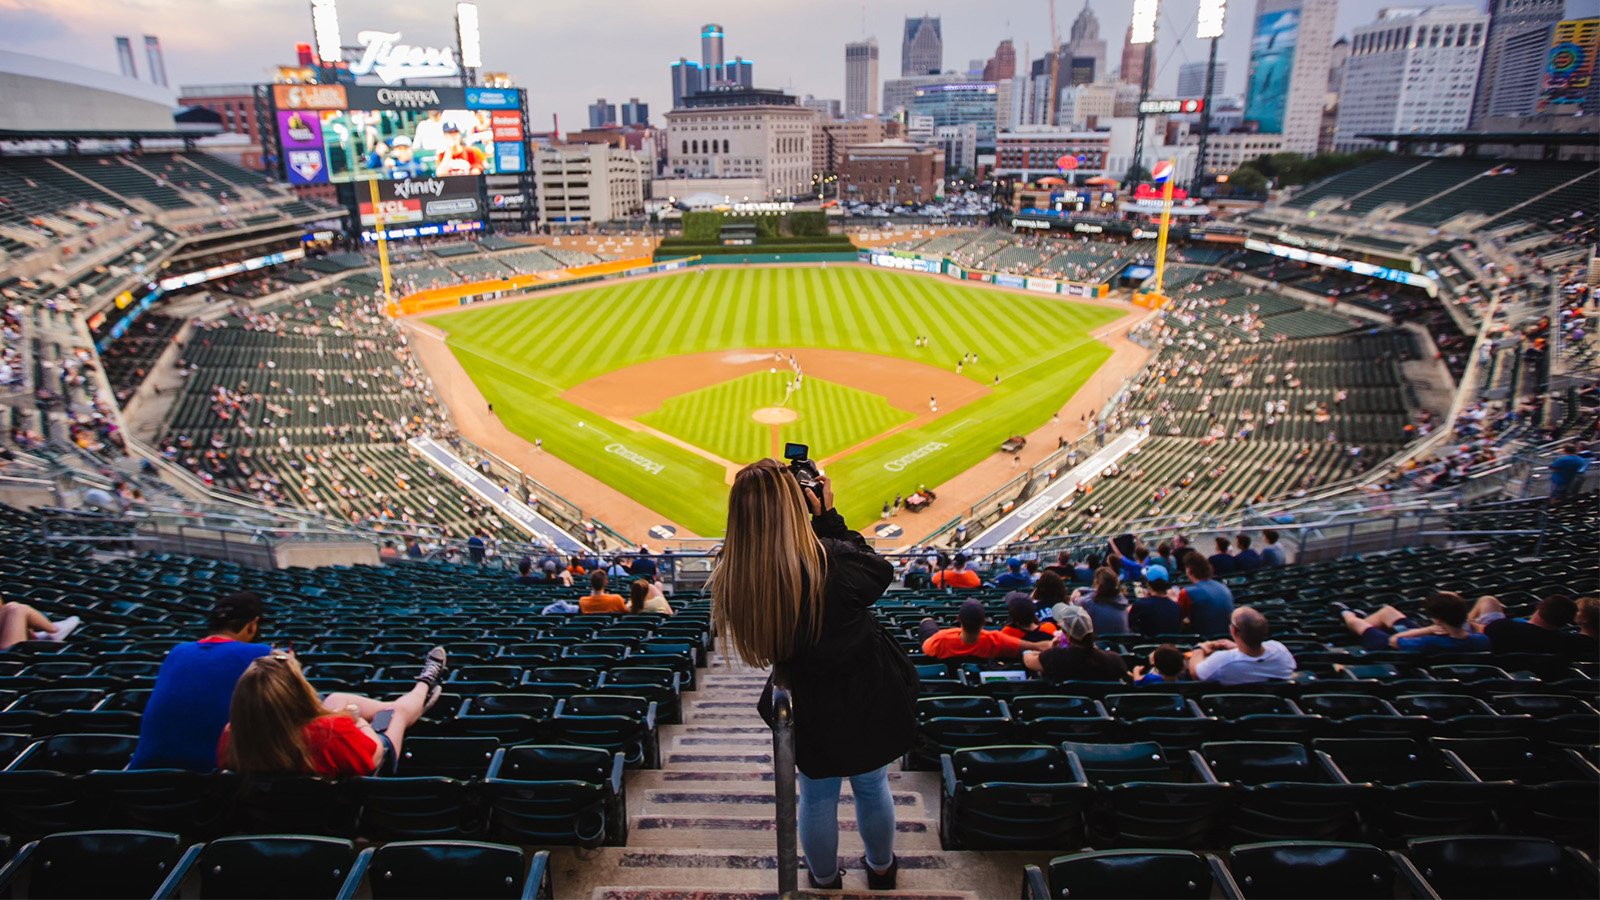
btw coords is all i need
(271, 866)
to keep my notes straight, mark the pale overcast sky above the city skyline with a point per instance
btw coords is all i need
(570, 52)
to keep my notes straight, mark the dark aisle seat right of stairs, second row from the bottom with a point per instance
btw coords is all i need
(999, 798)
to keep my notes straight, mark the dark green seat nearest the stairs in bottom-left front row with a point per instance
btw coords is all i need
(457, 869)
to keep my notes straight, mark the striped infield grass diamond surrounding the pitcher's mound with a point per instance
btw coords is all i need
(718, 419)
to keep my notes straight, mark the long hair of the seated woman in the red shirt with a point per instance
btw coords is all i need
(273, 705)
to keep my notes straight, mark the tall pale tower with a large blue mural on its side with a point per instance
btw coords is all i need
(1290, 54)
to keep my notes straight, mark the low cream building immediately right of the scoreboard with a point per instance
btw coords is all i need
(590, 183)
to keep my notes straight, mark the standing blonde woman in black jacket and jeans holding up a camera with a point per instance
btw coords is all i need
(794, 587)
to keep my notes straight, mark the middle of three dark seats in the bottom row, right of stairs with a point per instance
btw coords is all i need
(1332, 872)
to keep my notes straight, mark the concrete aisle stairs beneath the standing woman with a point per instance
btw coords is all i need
(703, 826)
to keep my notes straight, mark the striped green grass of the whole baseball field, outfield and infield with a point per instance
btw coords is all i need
(522, 356)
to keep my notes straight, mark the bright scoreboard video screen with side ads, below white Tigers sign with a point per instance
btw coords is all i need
(337, 134)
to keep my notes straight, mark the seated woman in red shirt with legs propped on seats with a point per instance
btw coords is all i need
(279, 726)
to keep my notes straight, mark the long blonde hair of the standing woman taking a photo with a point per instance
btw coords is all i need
(767, 589)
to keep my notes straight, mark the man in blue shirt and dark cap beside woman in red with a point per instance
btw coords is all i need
(194, 691)
